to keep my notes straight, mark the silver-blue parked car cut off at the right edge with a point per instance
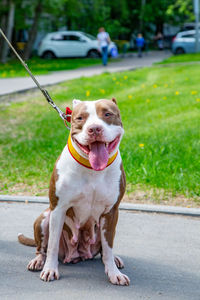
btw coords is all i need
(184, 42)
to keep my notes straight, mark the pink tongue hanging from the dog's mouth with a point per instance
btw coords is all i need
(98, 156)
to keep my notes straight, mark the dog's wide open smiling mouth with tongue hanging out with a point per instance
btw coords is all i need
(98, 152)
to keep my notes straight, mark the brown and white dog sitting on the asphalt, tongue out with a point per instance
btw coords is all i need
(86, 187)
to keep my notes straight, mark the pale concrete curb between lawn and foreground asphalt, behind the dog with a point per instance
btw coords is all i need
(147, 208)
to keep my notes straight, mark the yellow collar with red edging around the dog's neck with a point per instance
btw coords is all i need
(84, 161)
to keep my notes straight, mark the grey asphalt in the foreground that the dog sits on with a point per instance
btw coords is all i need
(161, 255)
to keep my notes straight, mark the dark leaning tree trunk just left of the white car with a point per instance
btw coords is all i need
(33, 31)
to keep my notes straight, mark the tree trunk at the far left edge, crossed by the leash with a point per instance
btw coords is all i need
(8, 31)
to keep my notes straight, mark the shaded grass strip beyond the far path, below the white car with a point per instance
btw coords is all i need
(38, 66)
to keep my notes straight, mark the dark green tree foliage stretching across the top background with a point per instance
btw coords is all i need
(120, 17)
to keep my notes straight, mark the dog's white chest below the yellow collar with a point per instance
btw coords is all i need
(89, 193)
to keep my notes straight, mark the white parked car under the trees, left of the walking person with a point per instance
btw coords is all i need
(70, 44)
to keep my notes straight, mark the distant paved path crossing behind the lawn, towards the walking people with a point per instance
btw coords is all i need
(19, 84)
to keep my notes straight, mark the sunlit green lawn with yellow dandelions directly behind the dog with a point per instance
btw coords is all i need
(160, 113)
